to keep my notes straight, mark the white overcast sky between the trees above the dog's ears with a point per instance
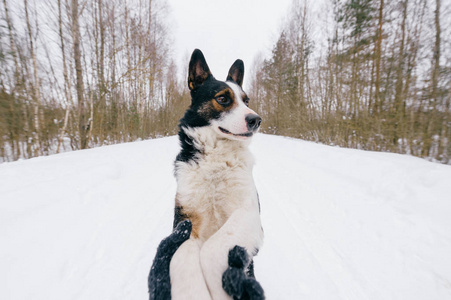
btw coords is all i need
(225, 30)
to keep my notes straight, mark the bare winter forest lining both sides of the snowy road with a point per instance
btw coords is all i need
(365, 74)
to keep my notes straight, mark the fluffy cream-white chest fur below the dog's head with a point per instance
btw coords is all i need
(219, 182)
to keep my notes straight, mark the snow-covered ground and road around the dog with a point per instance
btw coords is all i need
(339, 223)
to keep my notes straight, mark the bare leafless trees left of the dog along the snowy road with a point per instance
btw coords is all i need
(77, 74)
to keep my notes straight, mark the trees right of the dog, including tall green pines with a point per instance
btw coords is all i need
(365, 74)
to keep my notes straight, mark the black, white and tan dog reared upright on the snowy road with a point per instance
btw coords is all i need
(217, 228)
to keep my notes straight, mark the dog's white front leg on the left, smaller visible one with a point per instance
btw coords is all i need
(187, 279)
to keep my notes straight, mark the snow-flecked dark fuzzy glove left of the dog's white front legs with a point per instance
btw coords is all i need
(159, 281)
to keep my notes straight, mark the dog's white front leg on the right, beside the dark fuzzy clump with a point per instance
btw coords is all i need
(243, 228)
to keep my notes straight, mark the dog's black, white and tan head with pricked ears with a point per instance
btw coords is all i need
(223, 105)
